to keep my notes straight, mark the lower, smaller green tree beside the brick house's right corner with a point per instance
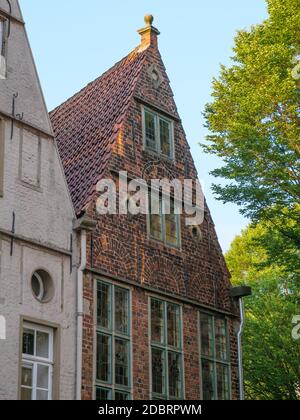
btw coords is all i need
(271, 355)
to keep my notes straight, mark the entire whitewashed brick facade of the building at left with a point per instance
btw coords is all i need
(35, 190)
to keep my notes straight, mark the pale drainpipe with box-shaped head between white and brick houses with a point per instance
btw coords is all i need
(82, 226)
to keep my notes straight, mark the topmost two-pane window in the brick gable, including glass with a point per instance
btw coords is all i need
(158, 134)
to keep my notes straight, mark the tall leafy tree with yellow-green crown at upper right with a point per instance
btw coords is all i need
(254, 121)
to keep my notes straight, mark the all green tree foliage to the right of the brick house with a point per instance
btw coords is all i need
(254, 123)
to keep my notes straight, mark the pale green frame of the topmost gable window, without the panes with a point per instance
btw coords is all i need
(158, 117)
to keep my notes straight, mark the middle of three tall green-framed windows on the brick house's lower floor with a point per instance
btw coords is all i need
(166, 355)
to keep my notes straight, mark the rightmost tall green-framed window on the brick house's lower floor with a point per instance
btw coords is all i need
(215, 357)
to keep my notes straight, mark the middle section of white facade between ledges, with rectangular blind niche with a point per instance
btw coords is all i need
(35, 189)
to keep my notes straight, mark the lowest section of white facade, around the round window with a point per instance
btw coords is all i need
(15, 288)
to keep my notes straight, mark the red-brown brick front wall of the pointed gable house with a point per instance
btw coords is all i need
(121, 248)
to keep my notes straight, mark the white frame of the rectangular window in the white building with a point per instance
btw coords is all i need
(35, 361)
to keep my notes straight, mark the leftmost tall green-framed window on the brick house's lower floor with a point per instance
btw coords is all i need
(113, 342)
